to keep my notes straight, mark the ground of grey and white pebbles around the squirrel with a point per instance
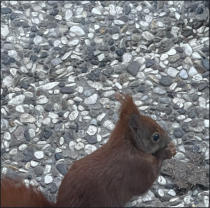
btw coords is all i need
(62, 62)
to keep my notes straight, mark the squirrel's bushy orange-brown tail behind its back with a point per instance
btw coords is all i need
(15, 194)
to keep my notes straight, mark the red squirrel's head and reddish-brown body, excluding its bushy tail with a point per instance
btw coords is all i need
(127, 165)
